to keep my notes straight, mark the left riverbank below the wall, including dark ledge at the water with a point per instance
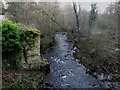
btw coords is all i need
(30, 78)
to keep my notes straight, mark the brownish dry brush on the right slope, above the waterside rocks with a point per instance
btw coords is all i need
(100, 52)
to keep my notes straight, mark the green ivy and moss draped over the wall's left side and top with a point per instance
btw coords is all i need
(13, 42)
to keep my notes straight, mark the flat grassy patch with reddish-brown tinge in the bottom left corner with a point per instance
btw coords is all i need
(26, 79)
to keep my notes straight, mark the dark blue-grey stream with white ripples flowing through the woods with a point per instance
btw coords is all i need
(66, 72)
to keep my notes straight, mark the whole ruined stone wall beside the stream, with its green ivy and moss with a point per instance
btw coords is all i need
(21, 47)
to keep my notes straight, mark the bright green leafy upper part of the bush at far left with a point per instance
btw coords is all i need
(10, 36)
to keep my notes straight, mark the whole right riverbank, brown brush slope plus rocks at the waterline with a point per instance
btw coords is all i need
(99, 56)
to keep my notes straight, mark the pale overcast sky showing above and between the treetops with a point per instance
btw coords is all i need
(85, 4)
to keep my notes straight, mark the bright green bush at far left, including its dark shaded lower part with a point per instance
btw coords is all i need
(11, 44)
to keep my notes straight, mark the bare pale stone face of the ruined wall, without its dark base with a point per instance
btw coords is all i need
(33, 54)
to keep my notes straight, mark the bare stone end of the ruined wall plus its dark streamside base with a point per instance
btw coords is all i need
(35, 62)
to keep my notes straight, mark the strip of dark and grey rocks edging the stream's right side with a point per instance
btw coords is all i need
(98, 72)
